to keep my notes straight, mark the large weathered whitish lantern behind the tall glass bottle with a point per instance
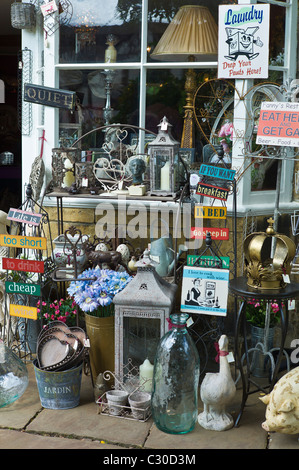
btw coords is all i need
(141, 310)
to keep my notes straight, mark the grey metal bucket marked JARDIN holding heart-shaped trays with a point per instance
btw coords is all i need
(59, 390)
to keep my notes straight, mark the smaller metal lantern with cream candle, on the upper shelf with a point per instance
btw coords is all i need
(165, 164)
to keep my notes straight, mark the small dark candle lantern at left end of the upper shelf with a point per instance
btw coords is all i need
(63, 167)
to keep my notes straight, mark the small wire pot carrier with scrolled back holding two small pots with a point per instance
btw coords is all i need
(129, 383)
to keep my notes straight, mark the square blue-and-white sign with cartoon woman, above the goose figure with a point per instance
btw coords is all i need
(205, 291)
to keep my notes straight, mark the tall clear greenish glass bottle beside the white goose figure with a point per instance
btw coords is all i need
(175, 379)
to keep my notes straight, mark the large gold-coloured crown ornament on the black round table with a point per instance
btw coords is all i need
(268, 256)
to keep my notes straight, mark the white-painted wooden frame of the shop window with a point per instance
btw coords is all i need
(47, 118)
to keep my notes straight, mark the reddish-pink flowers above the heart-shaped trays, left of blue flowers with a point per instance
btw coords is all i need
(63, 310)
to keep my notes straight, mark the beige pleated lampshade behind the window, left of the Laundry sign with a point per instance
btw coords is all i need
(191, 35)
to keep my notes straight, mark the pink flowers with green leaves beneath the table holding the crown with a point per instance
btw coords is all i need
(256, 313)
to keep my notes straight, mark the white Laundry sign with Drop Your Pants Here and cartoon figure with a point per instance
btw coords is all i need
(243, 42)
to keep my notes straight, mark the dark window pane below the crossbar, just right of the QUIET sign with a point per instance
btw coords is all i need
(90, 88)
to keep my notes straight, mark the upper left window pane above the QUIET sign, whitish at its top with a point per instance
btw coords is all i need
(94, 23)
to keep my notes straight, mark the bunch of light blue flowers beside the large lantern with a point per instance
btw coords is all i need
(95, 294)
